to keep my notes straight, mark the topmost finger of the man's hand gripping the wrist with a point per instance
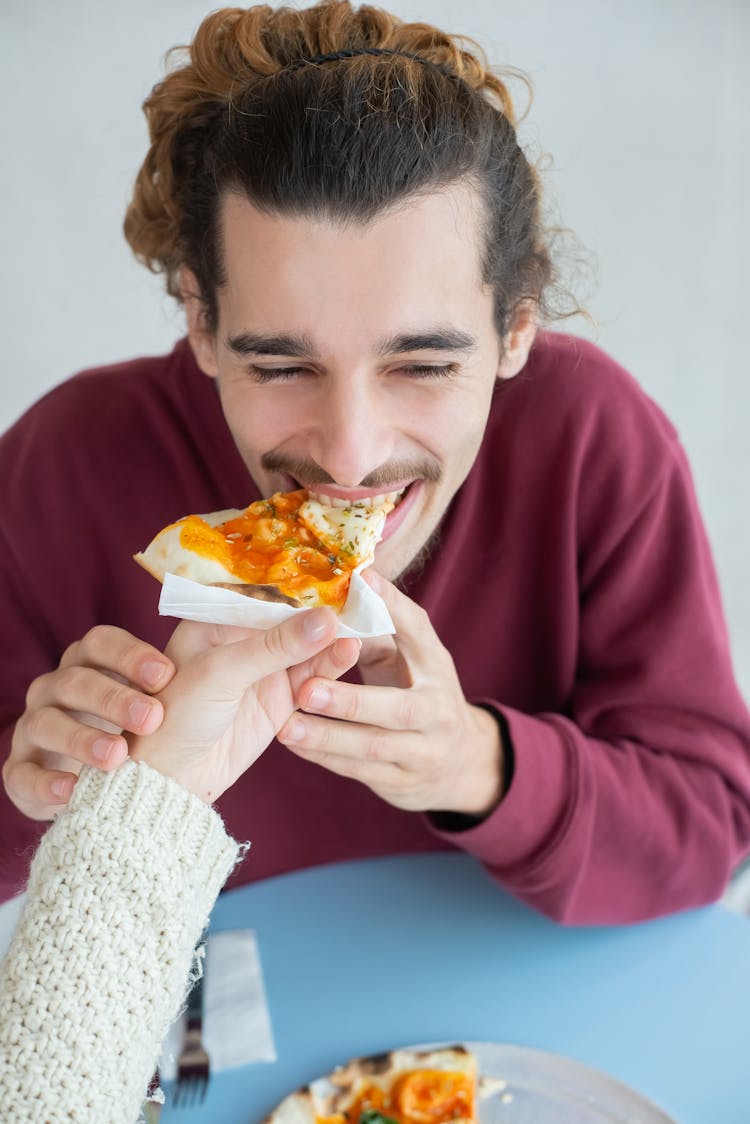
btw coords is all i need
(120, 652)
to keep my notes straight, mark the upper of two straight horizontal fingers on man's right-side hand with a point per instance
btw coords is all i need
(387, 708)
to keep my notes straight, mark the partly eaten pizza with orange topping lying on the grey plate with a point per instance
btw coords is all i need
(402, 1087)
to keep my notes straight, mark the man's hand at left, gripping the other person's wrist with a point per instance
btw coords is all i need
(75, 715)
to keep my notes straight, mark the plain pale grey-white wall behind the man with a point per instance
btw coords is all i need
(643, 105)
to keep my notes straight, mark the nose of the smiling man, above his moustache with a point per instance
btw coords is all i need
(353, 432)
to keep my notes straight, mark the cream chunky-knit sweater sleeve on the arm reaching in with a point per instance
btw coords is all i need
(119, 895)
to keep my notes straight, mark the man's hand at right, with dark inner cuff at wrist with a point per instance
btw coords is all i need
(409, 732)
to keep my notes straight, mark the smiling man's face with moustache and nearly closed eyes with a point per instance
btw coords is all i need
(358, 360)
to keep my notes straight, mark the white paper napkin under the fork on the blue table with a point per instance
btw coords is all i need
(237, 1021)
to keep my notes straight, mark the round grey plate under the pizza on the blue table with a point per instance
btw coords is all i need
(547, 1089)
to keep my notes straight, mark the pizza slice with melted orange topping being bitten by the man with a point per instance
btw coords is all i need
(287, 548)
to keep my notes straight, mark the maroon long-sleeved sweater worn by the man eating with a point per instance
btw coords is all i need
(574, 587)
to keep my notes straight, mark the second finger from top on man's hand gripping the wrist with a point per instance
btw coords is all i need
(95, 693)
